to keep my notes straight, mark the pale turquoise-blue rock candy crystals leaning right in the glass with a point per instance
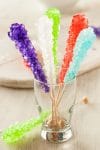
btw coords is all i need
(83, 44)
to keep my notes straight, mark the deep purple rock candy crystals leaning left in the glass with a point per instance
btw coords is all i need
(18, 34)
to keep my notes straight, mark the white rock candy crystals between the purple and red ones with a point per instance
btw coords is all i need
(45, 42)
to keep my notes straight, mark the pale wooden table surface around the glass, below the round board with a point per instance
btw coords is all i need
(18, 105)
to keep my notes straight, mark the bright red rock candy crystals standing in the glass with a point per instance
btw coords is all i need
(79, 22)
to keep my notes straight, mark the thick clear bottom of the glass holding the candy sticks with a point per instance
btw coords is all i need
(56, 136)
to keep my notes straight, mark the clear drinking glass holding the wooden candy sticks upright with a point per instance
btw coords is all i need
(60, 100)
